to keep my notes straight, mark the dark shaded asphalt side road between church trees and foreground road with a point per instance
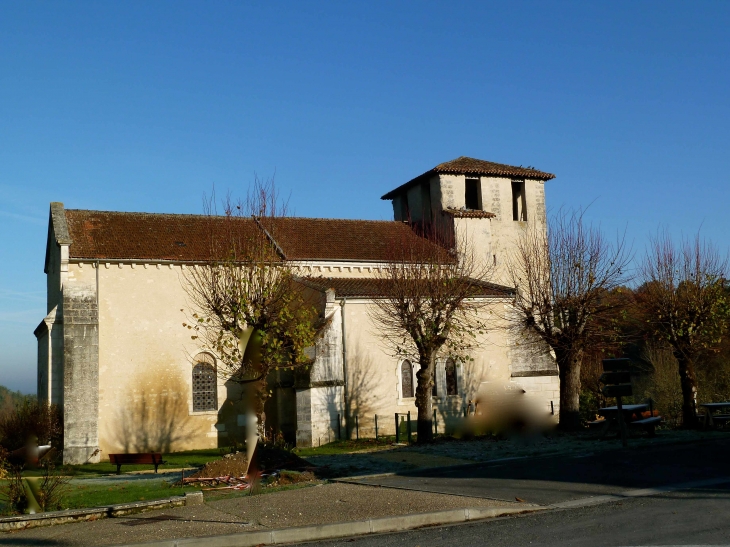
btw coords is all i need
(549, 480)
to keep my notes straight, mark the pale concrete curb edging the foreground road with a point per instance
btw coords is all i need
(341, 529)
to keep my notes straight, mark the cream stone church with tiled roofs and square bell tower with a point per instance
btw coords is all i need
(114, 355)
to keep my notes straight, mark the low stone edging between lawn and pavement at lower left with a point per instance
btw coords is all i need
(49, 518)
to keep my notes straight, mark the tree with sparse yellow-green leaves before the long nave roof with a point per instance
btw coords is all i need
(247, 308)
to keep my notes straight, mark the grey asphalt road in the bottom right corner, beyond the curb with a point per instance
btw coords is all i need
(690, 517)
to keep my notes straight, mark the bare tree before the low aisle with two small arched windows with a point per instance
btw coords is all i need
(436, 289)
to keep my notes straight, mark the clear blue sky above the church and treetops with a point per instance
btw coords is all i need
(143, 106)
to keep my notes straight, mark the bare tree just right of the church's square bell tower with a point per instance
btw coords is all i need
(565, 278)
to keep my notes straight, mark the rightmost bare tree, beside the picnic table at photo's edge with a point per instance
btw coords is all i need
(684, 303)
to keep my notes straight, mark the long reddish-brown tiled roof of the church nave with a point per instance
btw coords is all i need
(150, 236)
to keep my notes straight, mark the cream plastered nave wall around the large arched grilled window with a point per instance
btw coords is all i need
(145, 363)
